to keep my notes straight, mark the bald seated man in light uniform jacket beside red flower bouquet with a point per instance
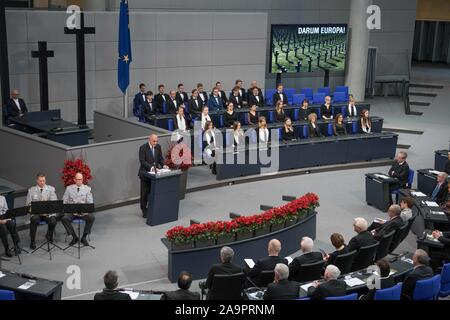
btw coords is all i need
(78, 193)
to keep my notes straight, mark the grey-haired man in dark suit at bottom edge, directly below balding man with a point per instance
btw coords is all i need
(282, 288)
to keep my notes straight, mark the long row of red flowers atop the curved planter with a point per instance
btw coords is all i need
(213, 230)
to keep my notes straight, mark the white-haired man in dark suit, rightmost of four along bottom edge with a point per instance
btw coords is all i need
(332, 287)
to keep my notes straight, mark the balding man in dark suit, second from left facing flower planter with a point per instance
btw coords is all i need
(267, 263)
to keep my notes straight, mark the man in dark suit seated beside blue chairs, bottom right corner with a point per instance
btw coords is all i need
(421, 271)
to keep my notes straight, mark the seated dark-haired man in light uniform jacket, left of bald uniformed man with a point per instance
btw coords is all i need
(41, 192)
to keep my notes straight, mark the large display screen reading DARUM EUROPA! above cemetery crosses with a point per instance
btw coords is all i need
(308, 48)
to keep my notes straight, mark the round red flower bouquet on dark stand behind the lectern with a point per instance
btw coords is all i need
(179, 156)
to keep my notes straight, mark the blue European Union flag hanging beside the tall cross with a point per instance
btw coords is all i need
(124, 61)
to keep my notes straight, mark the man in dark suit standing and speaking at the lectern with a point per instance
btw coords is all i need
(150, 155)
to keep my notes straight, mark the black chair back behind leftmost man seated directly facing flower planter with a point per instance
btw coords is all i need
(226, 287)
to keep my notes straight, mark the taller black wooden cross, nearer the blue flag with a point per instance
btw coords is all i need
(81, 67)
